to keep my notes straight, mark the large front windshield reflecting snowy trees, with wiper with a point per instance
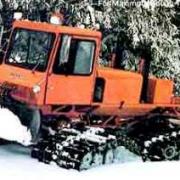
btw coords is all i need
(30, 49)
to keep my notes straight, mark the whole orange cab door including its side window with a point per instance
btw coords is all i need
(72, 78)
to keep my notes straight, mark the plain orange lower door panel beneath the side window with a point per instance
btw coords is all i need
(69, 89)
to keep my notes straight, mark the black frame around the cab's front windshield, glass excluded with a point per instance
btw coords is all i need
(26, 67)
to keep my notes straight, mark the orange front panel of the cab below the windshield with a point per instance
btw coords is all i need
(24, 80)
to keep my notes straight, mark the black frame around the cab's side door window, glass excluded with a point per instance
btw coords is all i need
(79, 38)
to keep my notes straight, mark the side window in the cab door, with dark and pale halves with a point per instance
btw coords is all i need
(74, 56)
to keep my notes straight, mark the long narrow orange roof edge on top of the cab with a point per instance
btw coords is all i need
(47, 27)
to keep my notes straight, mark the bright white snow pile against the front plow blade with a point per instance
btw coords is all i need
(11, 128)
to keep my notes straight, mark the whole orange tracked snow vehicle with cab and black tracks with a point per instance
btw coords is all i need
(50, 77)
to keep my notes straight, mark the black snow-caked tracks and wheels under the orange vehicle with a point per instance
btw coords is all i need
(86, 147)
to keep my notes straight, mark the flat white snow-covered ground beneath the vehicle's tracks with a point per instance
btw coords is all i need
(15, 163)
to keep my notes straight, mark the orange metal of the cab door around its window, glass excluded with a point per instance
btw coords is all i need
(72, 89)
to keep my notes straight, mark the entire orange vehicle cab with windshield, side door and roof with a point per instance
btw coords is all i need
(50, 64)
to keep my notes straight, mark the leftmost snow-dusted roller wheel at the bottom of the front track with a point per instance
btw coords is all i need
(86, 161)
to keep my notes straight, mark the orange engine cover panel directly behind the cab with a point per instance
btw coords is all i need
(121, 86)
